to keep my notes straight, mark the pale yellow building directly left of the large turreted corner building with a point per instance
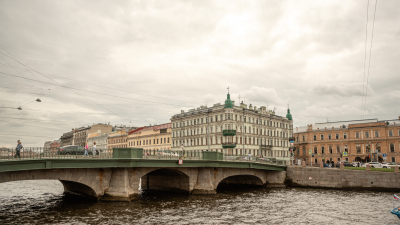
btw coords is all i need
(151, 139)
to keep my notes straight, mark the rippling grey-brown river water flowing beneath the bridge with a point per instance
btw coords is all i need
(43, 202)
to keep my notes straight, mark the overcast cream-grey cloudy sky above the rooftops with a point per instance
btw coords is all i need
(141, 62)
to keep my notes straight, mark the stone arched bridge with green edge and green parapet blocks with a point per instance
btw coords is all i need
(118, 178)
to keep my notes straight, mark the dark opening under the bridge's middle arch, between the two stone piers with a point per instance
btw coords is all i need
(166, 180)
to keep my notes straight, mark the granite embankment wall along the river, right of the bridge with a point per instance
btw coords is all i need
(297, 176)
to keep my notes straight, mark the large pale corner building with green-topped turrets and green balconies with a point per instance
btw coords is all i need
(234, 130)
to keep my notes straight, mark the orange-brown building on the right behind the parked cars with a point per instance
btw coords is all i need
(353, 141)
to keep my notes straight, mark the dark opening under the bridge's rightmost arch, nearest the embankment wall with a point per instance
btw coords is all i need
(240, 180)
